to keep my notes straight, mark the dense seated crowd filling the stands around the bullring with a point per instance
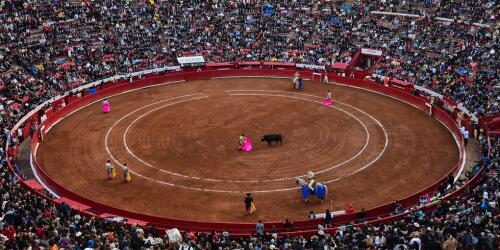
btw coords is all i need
(50, 47)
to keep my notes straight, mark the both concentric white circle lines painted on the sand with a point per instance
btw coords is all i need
(245, 93)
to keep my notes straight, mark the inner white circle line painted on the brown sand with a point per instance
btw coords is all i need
(245, 181)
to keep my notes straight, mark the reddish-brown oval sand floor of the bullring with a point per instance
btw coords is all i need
(179, 139)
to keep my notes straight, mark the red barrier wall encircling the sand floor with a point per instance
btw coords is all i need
(300, 227)
